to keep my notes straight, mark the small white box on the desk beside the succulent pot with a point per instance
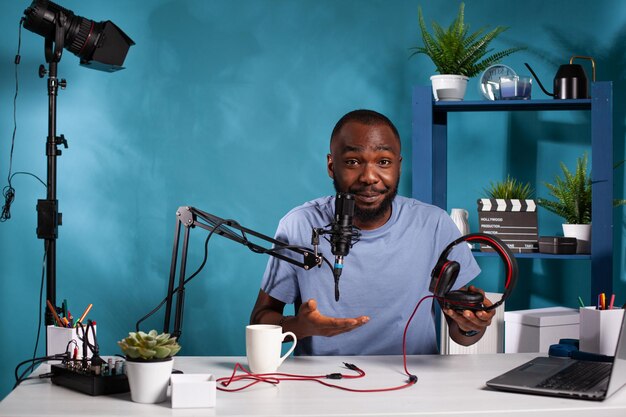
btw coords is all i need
(193, 390)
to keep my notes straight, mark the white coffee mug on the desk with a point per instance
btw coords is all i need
(263, 347)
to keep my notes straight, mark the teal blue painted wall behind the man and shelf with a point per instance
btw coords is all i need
(228, 106)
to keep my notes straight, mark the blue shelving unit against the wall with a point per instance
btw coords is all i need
(430, 163)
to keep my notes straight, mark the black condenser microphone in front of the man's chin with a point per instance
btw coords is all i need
(342, 234)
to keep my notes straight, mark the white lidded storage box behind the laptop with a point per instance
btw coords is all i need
(535, 330)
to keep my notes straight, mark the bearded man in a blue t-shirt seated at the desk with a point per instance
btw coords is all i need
(385, 274)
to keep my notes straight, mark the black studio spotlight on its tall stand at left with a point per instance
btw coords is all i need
(101, 46)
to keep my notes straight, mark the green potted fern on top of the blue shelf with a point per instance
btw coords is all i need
(458, 54)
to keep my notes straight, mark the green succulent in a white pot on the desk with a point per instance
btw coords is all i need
(149, 364)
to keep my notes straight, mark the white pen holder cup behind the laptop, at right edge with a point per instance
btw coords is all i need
(599, 330)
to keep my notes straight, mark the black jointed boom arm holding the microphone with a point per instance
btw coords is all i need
(190, 217)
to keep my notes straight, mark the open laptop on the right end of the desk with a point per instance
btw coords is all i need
(567, 377)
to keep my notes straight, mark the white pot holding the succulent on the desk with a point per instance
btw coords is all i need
(148, 381)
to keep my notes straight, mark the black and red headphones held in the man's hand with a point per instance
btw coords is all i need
(446, 271)
